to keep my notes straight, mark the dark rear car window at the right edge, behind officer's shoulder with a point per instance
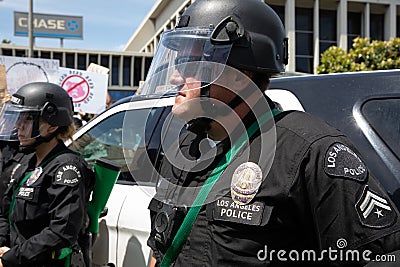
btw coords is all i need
(384, 117)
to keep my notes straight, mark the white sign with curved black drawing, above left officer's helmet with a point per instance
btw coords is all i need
(21, 71)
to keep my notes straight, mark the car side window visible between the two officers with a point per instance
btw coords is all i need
(111, 140)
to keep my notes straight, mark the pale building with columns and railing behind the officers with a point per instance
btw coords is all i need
(312, 26)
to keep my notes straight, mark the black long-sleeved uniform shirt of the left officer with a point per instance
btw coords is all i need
(50, 208)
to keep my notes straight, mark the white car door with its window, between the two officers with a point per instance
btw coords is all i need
(121, 134)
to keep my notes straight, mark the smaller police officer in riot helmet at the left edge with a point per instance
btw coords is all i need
(44, 208)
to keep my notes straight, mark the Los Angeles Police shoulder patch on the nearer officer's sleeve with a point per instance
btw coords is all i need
(341, 161)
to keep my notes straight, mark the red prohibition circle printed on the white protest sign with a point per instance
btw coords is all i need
(77, 87)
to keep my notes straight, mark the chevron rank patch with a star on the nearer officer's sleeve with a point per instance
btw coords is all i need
(374, 210)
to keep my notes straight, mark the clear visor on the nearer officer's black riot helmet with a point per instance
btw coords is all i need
(186, 52)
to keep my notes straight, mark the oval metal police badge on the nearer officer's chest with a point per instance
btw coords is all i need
(246, 180)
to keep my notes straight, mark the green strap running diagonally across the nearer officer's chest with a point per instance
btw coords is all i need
(191, 216)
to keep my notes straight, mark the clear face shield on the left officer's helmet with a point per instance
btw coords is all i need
(14, 117)
